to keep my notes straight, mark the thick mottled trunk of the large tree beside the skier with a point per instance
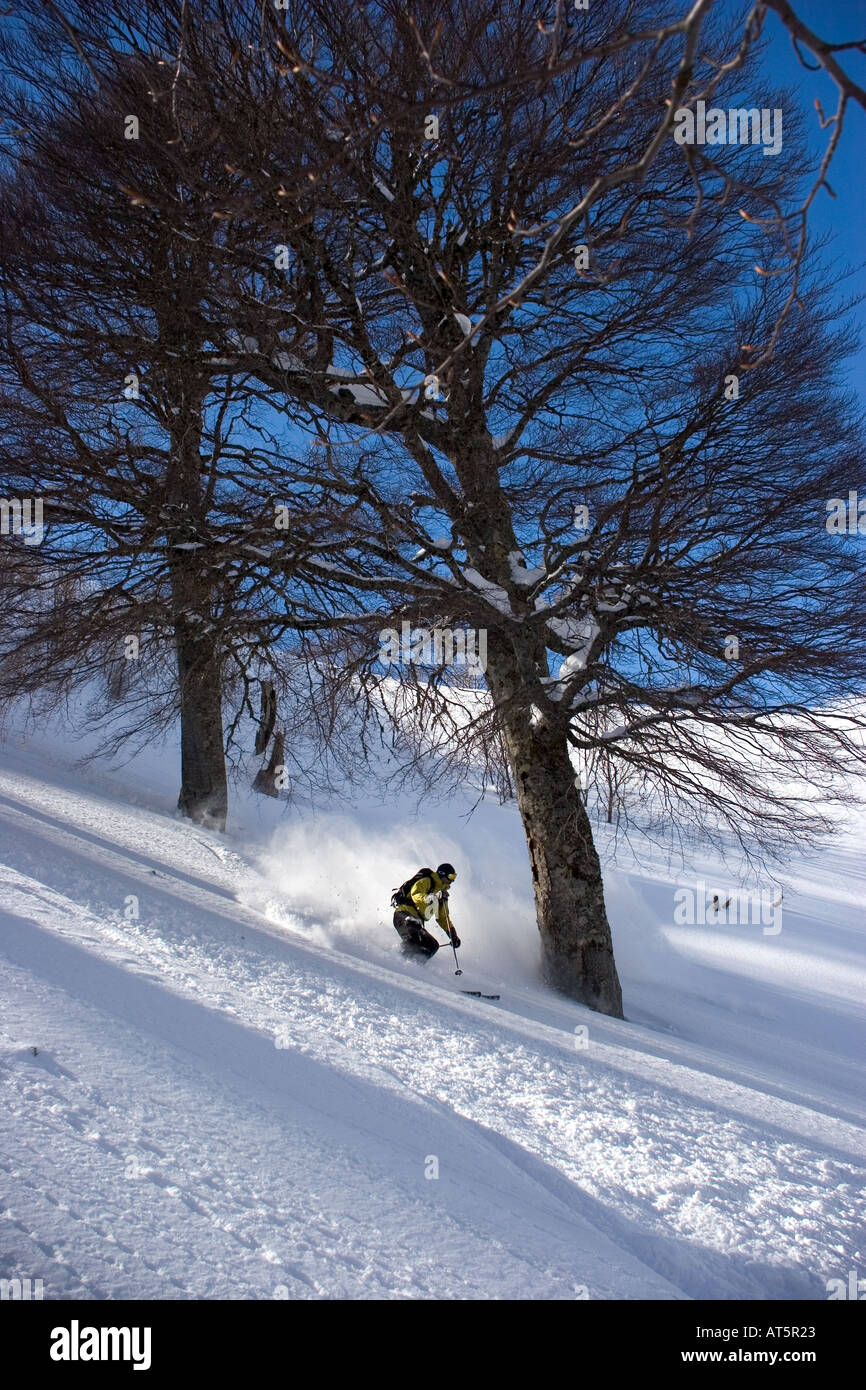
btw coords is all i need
(578, 951)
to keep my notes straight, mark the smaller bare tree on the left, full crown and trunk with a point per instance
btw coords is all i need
(120, 415)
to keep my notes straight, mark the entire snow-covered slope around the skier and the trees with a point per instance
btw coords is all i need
(222, 1081)
